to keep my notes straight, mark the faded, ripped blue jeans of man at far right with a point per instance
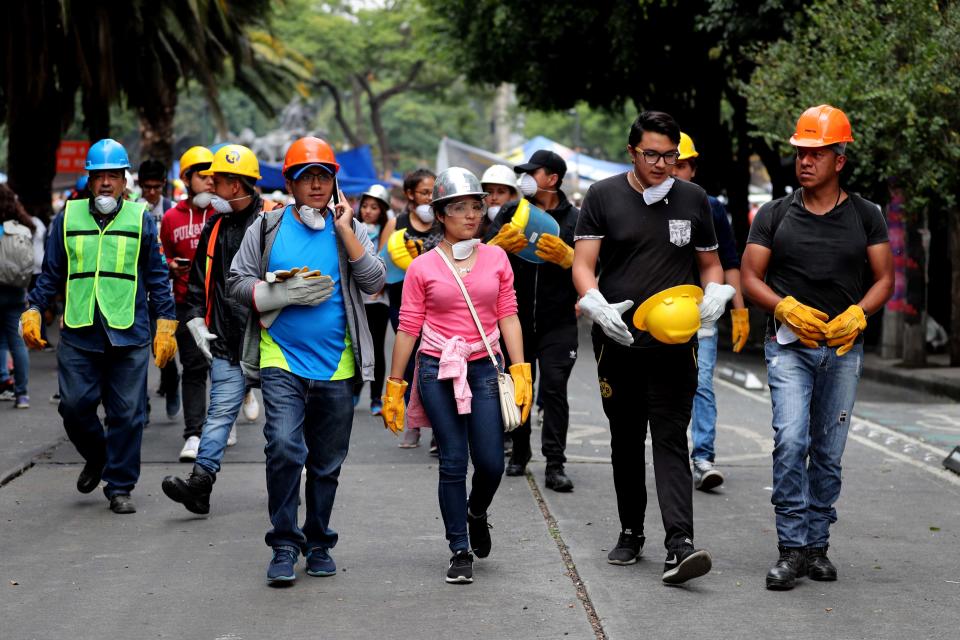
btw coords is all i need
(812, 392)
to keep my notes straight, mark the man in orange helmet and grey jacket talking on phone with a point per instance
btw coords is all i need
(304, 270)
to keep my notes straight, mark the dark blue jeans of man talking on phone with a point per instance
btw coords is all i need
(308, 422)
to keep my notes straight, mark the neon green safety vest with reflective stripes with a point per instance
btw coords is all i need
(101, 264)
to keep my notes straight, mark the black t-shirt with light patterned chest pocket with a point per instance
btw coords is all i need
(644, 248)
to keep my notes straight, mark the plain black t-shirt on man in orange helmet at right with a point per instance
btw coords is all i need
(819, 259)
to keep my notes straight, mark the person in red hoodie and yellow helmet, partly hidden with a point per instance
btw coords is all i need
(180, 234)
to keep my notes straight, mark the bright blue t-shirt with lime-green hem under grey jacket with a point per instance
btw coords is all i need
(311, 342)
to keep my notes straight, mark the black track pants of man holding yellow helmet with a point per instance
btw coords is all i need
(653, 385)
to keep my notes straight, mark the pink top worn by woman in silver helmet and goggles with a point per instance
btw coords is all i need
(430, 294)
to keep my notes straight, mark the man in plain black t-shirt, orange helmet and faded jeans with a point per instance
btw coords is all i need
(805, 264)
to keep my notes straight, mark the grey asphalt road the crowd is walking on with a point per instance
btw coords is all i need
(72, 569)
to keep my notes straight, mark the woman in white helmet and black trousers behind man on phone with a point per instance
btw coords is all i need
(374, 204)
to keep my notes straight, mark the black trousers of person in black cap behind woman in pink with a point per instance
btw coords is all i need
(554, 353)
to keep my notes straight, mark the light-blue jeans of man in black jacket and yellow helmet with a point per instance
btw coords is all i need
(227, 388)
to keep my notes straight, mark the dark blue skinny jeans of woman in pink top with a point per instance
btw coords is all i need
(477, 436)
